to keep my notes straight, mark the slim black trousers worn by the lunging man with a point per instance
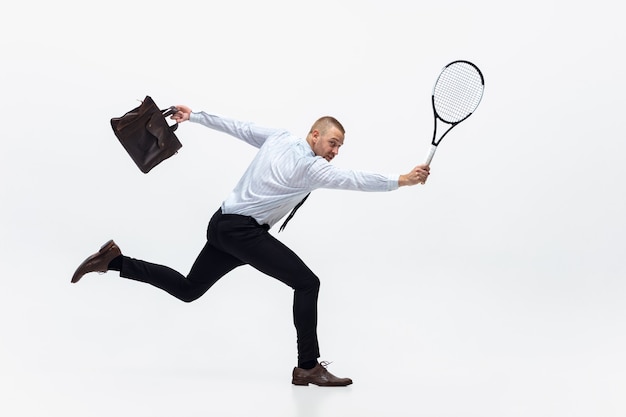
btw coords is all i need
(232, 241)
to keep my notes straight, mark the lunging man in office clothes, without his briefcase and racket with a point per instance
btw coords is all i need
(285, 170)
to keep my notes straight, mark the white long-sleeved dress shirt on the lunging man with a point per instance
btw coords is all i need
(284, 171)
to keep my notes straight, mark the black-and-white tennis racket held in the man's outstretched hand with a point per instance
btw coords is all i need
(456, 94)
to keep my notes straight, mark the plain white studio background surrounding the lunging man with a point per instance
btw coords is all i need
(497, 289)
